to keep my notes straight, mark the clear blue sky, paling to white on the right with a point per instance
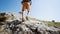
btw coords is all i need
(41, 9)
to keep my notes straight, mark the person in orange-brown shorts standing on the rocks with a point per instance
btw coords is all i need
(25, 5)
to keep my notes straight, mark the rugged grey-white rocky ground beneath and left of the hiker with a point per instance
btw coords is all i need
(14, 25)
